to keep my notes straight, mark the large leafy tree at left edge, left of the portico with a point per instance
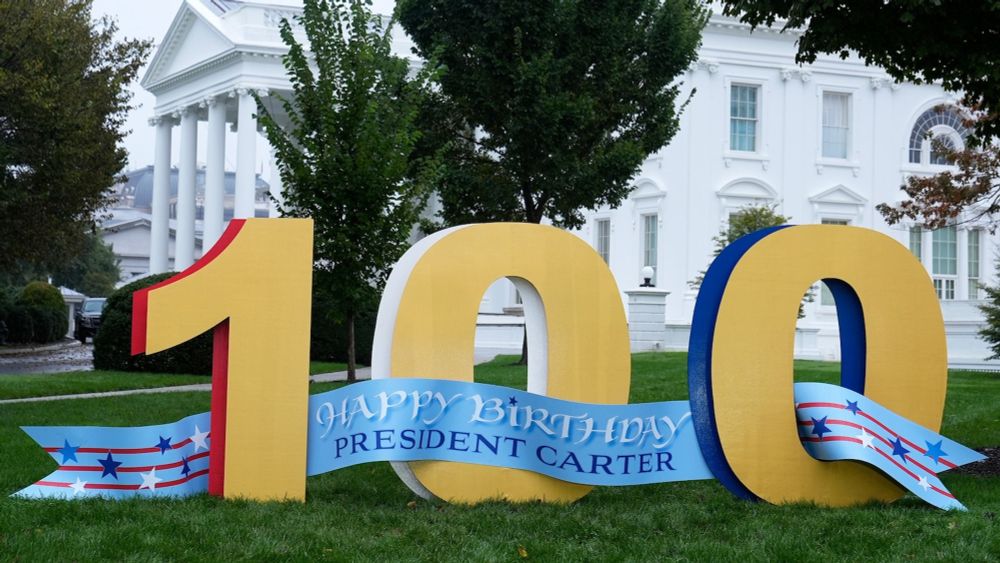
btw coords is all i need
(63, 104)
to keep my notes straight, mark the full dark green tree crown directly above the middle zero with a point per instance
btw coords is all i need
(549, 107)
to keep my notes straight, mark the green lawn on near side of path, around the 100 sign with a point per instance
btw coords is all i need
(366, 513)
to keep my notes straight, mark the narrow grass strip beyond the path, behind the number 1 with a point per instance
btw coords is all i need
(78, 382)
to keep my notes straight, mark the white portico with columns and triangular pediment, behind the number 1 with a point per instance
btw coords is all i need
(217, 59)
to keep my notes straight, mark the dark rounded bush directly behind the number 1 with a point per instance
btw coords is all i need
(113, 342)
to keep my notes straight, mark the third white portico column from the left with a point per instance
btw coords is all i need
(215, 174)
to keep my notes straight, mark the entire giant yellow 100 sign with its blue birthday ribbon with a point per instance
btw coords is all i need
(747, 423)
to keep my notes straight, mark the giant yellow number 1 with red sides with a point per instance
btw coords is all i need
(254, 289)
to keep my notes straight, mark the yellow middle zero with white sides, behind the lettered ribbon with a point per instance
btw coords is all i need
(577, 336)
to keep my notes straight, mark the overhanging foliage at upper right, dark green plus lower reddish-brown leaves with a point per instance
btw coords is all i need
(952, 42)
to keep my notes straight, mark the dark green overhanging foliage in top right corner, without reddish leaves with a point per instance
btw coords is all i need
(916, 40)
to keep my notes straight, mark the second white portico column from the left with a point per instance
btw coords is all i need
(185, 190)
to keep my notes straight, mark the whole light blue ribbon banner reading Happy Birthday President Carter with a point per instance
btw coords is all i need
(432, 419)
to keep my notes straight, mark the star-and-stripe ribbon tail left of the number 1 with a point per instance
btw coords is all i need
(152, 461)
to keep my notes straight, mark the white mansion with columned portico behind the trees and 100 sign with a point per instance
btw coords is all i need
(825, 143)
